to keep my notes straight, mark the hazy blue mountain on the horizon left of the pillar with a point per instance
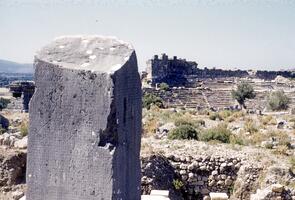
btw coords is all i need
(13, 67)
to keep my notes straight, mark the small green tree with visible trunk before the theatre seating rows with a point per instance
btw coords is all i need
(244, 91)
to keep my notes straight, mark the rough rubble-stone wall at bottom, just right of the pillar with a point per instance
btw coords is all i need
(190, 177)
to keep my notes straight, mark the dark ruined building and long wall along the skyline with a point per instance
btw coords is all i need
(179, 72)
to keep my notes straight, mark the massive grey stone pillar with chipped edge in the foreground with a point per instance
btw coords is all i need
(85, 121)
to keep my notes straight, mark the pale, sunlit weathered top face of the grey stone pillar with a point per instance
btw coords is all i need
(90, 53)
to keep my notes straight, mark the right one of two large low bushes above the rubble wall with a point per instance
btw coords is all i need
(218, 133)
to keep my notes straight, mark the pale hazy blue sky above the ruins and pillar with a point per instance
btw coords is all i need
(241, 34)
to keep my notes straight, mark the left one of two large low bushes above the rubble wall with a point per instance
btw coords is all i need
(183, 132)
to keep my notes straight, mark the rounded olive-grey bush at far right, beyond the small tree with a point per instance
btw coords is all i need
(278, 101)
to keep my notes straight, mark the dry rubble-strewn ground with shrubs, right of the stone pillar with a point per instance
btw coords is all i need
(256, 163)
